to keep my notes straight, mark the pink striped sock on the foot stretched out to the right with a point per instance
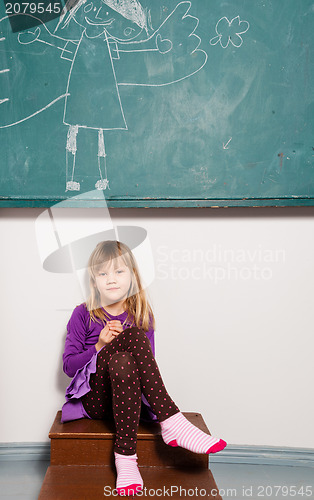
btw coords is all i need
(178, 431)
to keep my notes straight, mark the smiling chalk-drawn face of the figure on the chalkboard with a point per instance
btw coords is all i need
(96, 16)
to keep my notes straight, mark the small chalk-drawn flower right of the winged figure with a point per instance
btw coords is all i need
(230, 32)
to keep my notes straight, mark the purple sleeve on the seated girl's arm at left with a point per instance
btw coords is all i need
(75, 355)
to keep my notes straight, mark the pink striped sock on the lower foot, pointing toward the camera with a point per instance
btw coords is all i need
(129, 479)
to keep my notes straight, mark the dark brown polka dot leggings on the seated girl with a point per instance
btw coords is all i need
(126, 368)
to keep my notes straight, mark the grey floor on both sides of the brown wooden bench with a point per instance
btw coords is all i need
(23, 479)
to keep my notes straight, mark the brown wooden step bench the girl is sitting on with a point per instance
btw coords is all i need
(82, 463)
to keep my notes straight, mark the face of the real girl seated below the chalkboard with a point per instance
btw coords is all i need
(113, 282)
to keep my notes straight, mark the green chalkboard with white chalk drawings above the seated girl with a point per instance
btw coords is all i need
(159, 103)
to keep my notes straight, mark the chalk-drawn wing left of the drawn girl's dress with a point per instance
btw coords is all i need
(27, 93)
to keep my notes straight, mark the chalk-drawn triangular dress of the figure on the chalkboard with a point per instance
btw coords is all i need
(93, 99)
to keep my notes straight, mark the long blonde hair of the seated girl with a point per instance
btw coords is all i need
(137, 305)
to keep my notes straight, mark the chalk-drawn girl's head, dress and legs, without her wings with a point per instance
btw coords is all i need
(105, 23)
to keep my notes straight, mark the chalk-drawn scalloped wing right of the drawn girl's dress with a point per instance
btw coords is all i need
(169, 55)
